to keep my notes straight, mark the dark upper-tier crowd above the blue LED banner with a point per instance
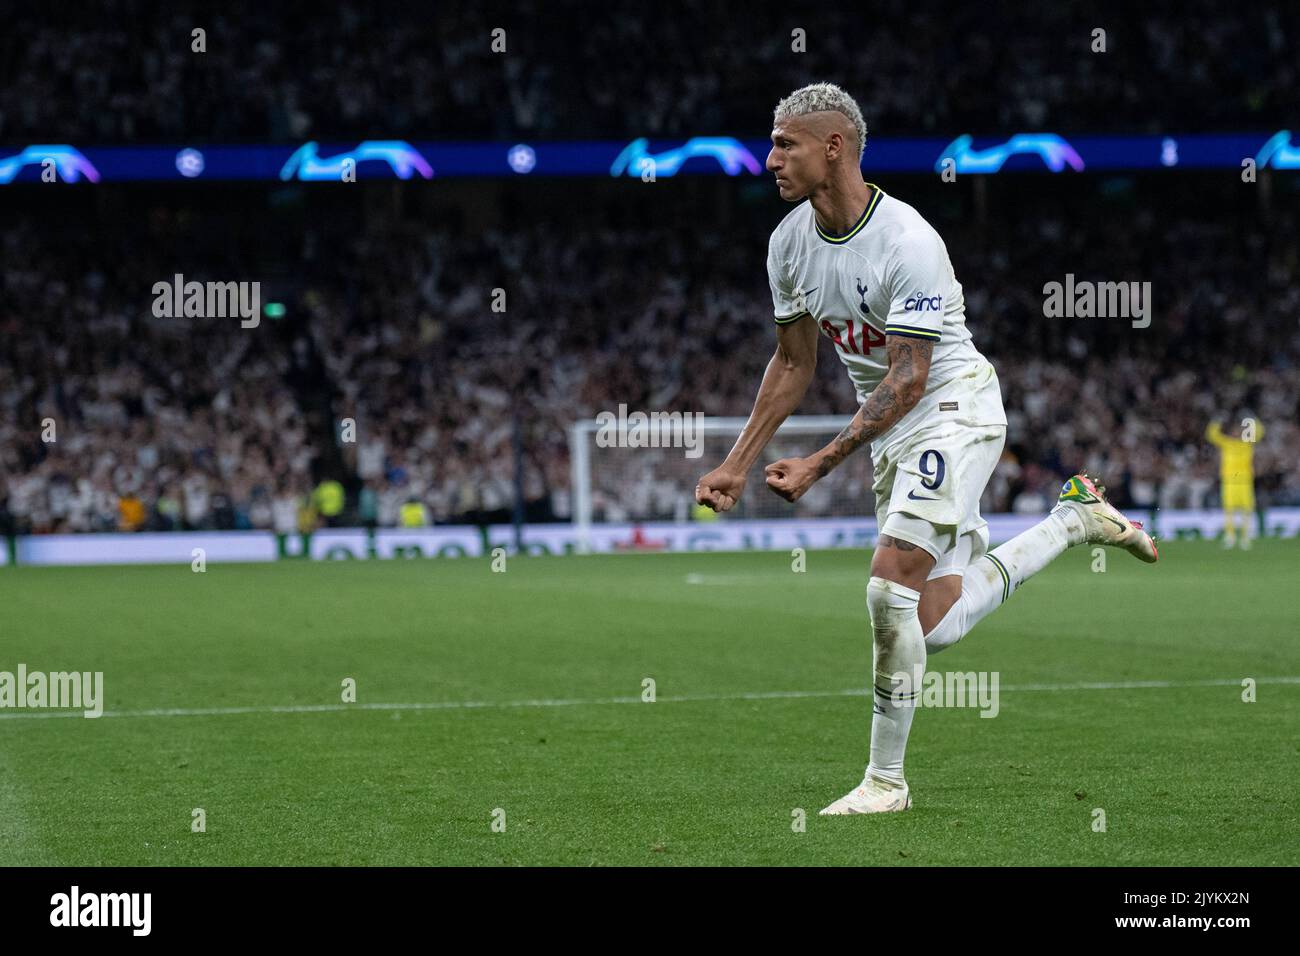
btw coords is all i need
(128, 71)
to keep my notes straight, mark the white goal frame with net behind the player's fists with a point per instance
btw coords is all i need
(625, 475)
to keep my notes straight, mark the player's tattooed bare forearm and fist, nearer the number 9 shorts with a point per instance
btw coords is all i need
(898, 393)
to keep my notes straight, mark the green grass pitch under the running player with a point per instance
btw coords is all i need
(532, 663)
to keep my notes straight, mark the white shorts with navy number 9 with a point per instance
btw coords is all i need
(929, 488)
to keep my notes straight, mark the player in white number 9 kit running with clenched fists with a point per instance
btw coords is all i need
(872, 275)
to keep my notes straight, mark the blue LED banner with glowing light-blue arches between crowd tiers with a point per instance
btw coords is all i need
(388, 159)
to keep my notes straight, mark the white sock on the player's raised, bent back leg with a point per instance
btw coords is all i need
(993, 578)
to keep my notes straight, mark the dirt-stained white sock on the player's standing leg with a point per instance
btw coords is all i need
(900, 650)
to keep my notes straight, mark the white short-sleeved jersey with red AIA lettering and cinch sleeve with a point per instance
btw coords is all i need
(889, 275)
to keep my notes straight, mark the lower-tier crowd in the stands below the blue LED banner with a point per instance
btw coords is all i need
(112, 418)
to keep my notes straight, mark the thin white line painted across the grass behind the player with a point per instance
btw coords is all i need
(590, 702)
